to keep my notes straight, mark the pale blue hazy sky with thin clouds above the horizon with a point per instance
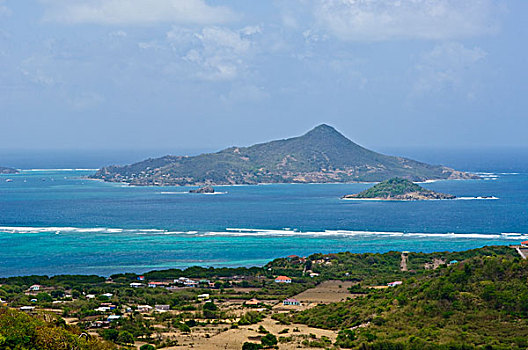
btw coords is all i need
(197, 74)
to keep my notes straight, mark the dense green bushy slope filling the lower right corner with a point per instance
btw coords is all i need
(479, 303)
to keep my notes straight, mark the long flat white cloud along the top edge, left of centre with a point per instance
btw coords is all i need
(133, 12)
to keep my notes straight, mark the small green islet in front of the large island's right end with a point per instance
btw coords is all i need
(398, 189)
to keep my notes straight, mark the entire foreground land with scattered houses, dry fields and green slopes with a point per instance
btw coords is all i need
(477, 298)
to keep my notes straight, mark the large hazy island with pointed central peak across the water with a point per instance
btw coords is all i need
(322, 155)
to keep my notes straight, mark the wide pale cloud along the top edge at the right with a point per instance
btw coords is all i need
(378, 20)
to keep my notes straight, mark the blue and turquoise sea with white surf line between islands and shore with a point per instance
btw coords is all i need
(54, 222)
